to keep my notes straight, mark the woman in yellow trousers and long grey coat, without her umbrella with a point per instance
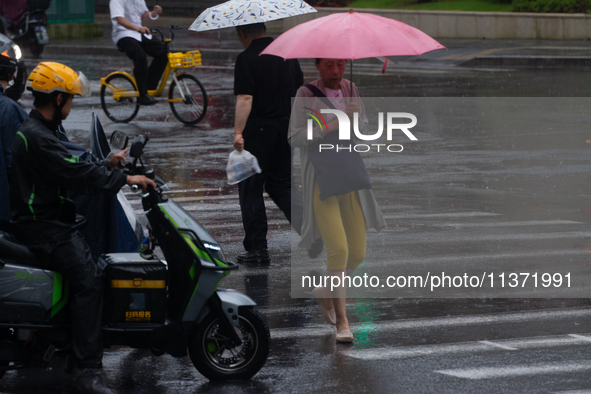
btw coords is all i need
(339, 216)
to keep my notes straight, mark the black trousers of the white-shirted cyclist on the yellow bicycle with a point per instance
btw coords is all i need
(147, 78)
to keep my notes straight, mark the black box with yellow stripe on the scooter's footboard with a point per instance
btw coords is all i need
(135, 289)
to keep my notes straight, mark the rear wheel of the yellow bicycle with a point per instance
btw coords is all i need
(119, 109)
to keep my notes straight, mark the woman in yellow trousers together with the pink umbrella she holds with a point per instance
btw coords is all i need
(341, 219)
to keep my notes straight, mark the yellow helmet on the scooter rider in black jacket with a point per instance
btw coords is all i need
(49, 77)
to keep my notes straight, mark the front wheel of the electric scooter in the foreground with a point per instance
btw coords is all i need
(214, 357)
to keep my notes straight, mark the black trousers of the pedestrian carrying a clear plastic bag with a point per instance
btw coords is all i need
(266, 139)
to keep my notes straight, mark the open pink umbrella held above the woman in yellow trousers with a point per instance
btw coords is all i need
(351, 35)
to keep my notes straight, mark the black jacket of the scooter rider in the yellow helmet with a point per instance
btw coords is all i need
(43, 171)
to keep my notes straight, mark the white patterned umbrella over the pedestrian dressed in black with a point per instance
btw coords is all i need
(241, 12)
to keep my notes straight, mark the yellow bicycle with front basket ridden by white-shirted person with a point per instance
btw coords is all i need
(186, 94)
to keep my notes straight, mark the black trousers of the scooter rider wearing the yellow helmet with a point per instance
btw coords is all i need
(72, 259)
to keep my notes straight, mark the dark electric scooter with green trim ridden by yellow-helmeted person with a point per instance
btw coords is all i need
(172, 306)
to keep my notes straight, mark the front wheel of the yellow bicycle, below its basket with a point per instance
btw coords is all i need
(190, 106)
